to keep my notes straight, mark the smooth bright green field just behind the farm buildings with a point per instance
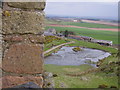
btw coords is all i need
(102, 35)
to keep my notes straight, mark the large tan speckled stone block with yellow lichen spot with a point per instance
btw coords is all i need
(22, 22)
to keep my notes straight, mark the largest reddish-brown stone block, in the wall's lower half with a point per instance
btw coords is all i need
(23, 58)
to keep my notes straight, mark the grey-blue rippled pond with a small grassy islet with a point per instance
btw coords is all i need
(66, 56)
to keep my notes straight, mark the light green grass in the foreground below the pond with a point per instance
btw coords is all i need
(91, 80)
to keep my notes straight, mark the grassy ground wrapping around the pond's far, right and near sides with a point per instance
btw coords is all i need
(105, 77)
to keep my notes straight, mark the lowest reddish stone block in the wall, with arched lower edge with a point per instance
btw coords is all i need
(12, 81)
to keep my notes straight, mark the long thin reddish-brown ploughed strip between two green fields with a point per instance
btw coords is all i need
(105, 29)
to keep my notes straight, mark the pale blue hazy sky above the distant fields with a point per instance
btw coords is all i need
(103, 10)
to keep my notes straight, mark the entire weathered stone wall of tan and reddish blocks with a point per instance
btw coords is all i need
(22, 31)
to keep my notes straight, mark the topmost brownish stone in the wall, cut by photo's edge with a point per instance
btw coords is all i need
(28, 5)
